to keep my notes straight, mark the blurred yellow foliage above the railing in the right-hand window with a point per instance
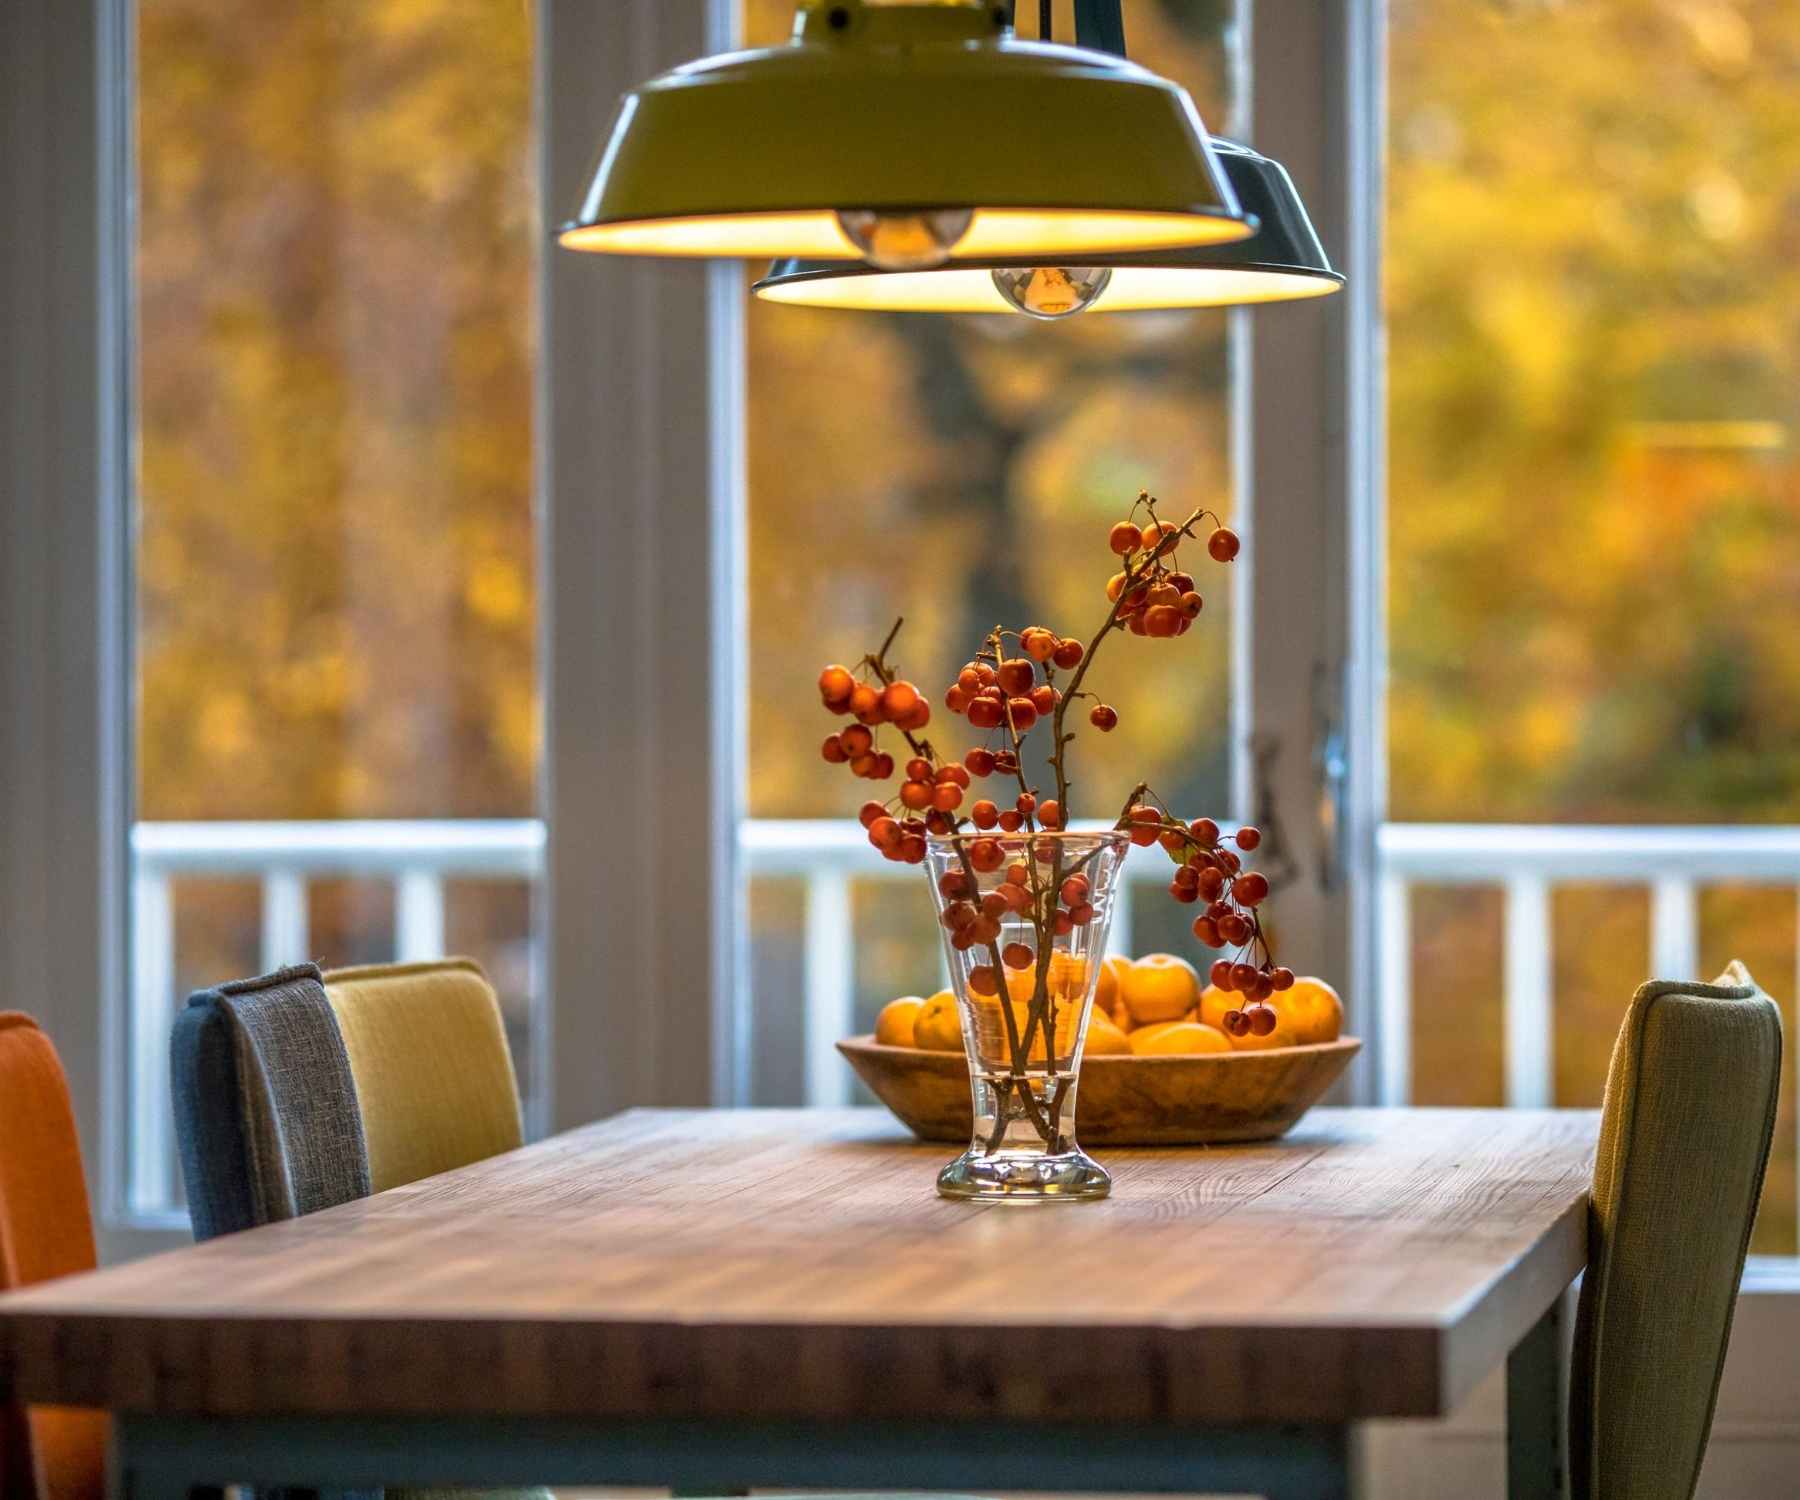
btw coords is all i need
(1594, 383)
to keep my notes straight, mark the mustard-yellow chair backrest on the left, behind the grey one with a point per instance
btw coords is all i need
(433, 1069)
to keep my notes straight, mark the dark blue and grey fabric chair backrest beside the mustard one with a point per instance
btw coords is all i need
(265, 1105)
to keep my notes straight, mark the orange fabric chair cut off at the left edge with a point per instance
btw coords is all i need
(46, 1452)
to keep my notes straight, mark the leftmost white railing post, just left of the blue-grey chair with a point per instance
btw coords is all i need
(150, 1170)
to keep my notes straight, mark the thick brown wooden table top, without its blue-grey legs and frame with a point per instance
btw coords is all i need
(800, 1265)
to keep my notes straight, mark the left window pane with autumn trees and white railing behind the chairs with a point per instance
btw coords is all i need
(336, 588)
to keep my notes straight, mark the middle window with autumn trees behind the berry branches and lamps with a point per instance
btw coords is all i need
(958, 471)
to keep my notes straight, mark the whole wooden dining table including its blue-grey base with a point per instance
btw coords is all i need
(724, 1299)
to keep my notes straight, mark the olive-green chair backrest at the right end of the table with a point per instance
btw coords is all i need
(1684, 1146)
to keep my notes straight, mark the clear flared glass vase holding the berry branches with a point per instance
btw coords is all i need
(1025, 923)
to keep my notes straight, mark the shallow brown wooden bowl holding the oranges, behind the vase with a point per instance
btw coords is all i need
(1124, 1101)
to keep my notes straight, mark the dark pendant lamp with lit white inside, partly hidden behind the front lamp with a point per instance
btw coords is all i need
(1281, 262)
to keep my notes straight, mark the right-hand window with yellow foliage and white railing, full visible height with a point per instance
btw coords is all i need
(1590, 248)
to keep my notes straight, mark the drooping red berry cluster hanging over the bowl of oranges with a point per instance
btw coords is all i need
(1212, 872)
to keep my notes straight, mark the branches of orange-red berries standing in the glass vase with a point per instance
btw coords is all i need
(1011, 696)
